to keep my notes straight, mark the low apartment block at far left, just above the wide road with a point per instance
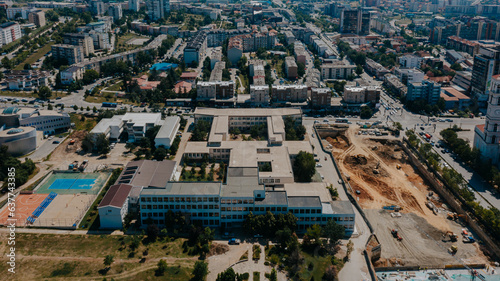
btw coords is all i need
(27, 80)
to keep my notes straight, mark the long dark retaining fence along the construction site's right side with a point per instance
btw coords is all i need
(449, 195)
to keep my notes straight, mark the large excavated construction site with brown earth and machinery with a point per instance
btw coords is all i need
(413, 225)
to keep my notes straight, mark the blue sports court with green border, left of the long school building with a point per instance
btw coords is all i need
(73, 183)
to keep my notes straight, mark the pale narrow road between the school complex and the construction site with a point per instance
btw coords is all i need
(355, 269)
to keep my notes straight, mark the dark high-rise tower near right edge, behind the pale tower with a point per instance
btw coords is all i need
(486, 65)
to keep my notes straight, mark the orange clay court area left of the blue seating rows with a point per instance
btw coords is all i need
(26, 205)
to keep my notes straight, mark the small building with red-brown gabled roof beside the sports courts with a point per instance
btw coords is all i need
(114, 206)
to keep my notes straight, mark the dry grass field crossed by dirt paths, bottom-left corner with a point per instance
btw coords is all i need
(81, 256)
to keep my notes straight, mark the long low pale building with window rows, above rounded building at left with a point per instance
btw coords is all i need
(47, 121)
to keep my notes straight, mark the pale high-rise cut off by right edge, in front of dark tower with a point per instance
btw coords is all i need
(487, 136)
